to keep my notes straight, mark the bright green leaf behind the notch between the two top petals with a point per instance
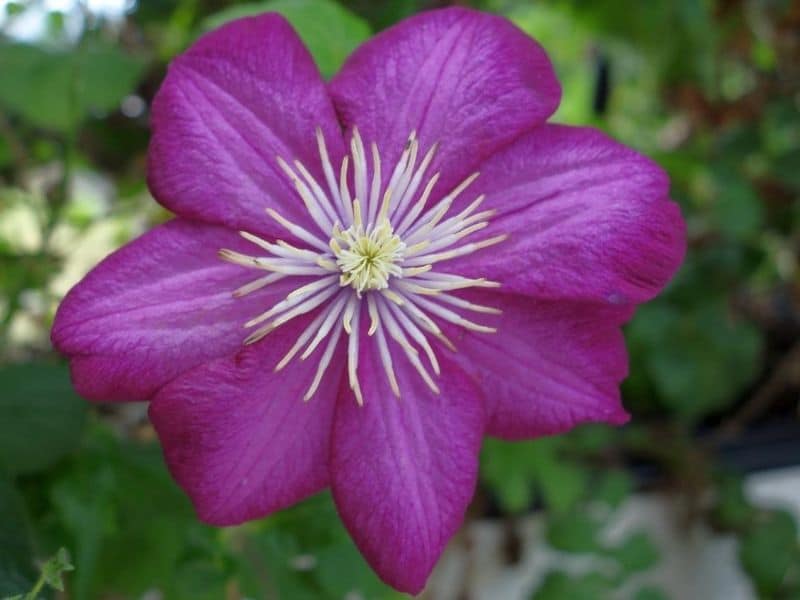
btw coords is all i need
(330, 32)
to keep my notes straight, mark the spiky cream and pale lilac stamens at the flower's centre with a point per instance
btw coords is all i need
(383, 255)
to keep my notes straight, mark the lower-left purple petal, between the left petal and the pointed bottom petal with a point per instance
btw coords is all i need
(238, 437)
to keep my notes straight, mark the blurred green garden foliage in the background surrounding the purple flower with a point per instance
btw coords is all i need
(710, 88)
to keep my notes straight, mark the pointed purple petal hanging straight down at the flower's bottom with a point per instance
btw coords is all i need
(403, 470)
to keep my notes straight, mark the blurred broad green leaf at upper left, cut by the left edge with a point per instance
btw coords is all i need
(57, 90)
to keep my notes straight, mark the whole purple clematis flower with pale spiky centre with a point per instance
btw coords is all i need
(367, 276)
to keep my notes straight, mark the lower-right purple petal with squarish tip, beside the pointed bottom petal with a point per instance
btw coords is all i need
(550, 365)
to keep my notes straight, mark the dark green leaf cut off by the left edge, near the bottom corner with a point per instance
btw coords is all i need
(17, 572)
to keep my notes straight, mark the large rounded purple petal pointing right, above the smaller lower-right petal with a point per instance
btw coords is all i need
(588, 219)
